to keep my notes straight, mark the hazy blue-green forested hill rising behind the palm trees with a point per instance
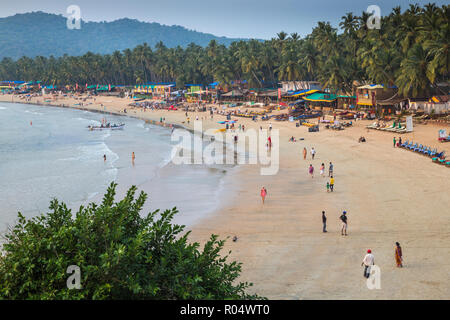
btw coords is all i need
(42, 34)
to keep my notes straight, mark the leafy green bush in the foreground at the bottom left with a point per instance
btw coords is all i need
(121, 256)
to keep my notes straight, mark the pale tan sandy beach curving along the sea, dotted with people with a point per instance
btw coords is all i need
(389, 194)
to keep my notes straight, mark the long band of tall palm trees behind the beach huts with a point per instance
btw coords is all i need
(411, 51)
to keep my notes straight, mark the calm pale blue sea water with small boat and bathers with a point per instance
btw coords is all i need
(48, 152)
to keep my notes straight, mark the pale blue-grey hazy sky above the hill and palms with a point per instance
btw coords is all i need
(231, 18)
